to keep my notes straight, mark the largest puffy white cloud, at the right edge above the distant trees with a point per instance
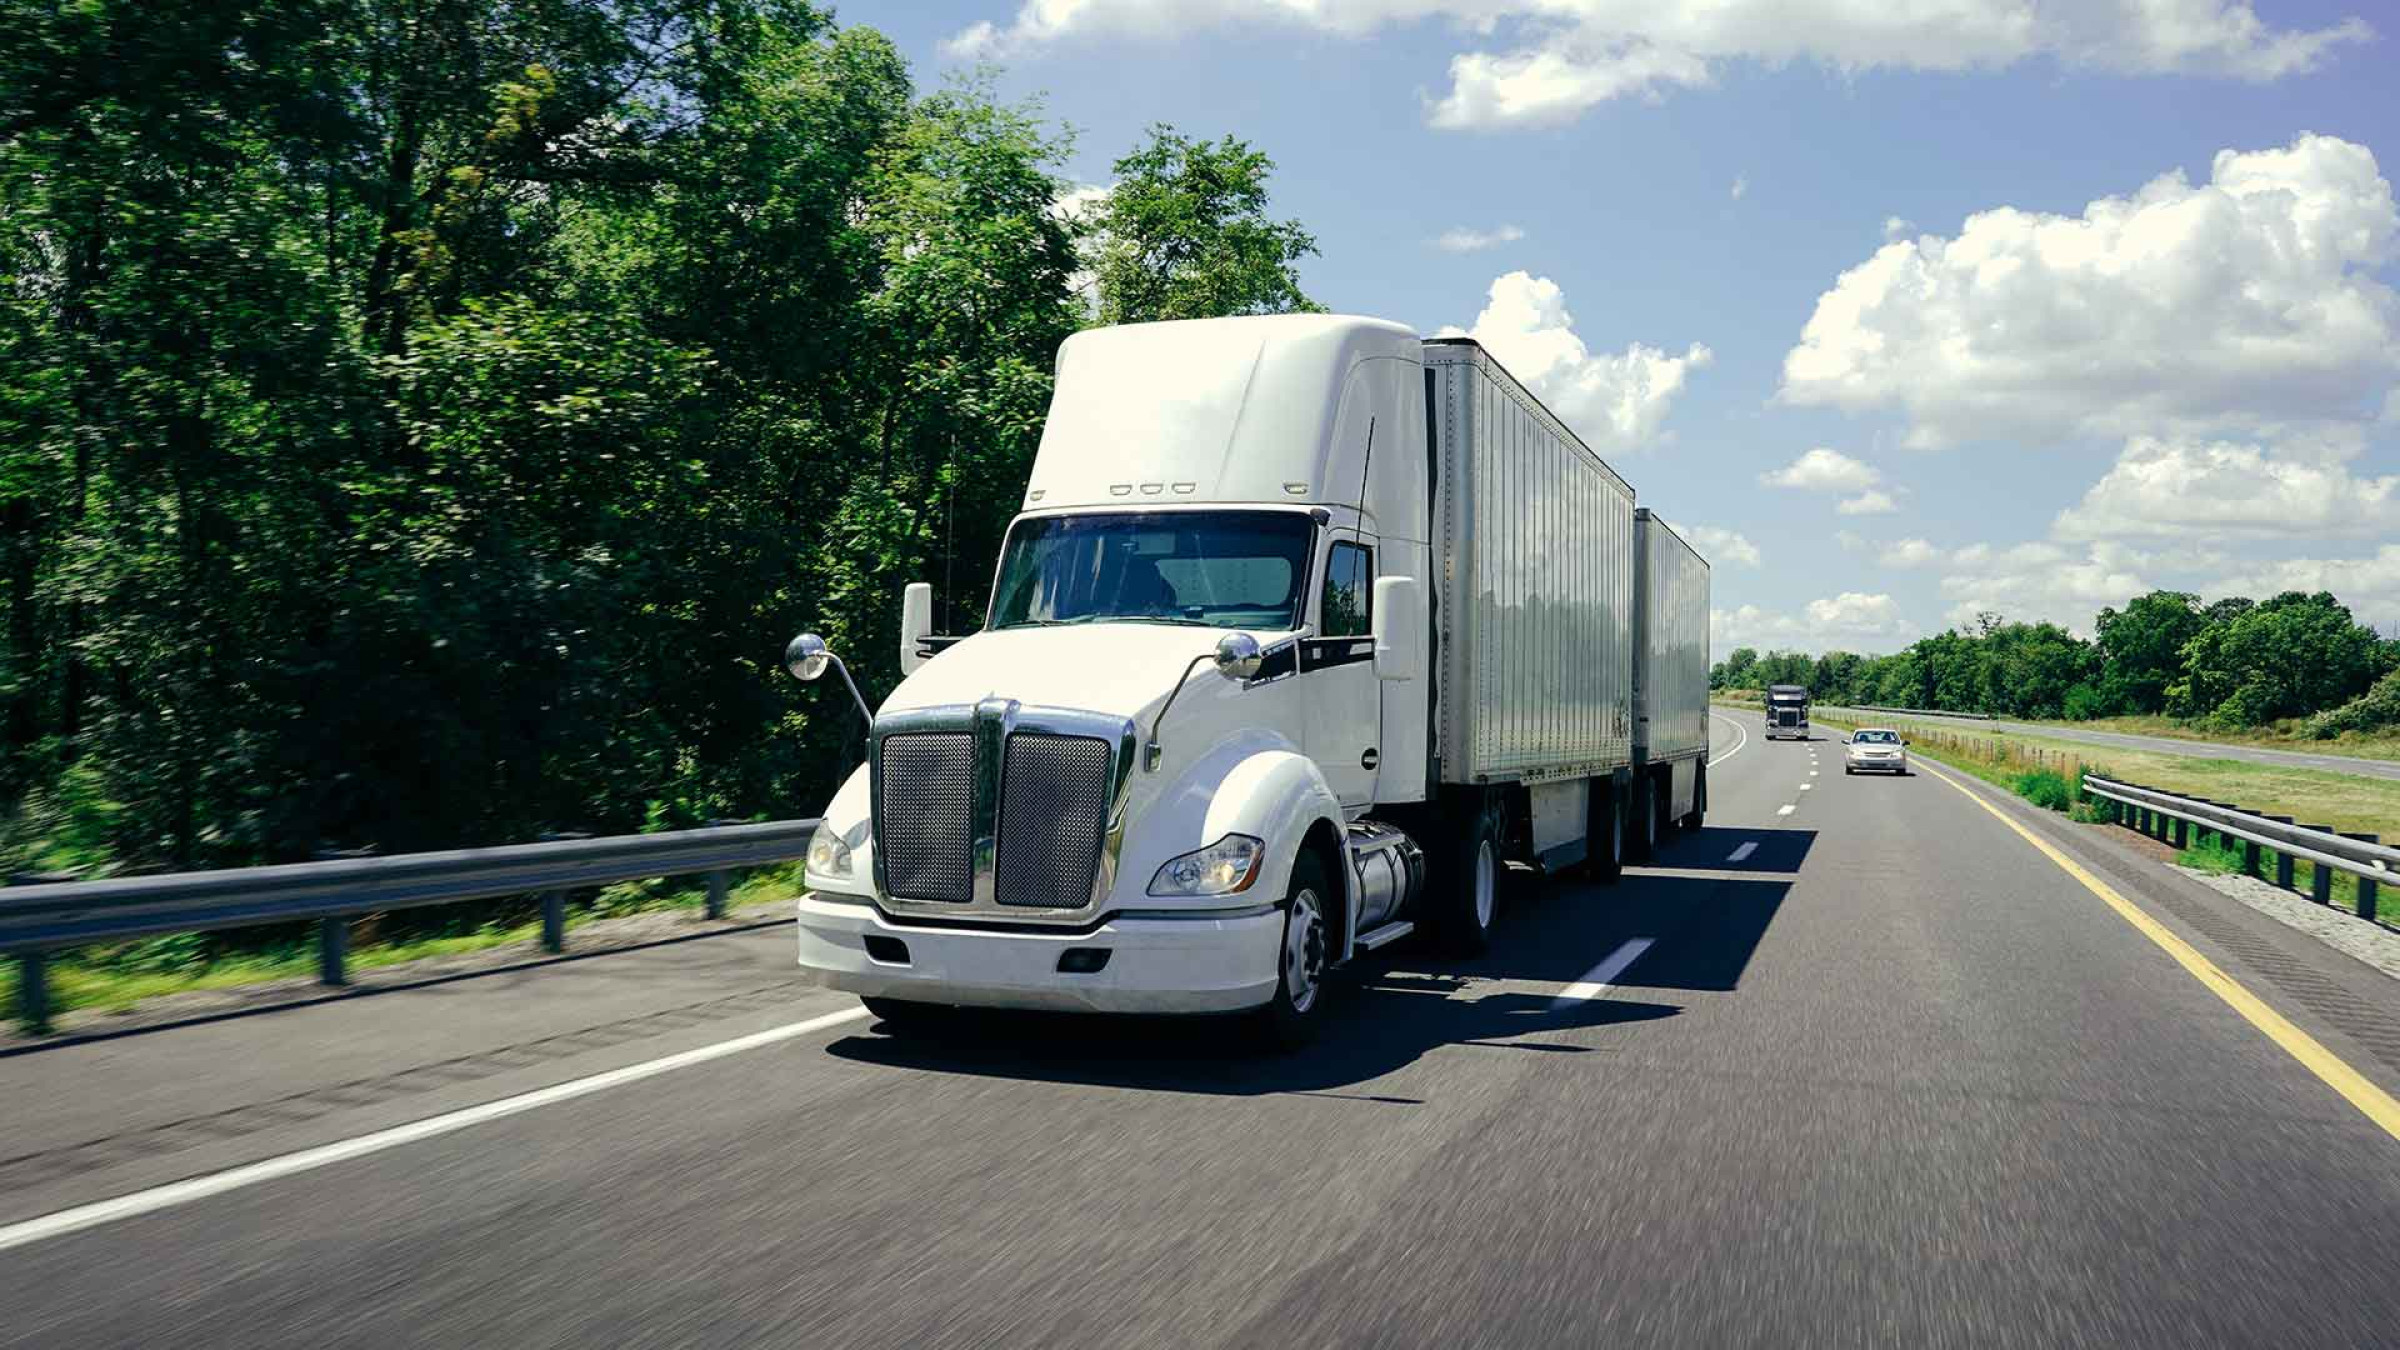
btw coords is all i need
(2248, 304)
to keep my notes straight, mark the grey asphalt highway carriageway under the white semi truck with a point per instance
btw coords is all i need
(1883, 1075)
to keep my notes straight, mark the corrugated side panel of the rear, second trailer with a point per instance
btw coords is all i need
(1672, 626)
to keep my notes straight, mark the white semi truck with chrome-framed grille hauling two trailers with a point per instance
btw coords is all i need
(1307, 631)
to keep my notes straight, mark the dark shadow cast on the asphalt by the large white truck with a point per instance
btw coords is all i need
(1396, 1008)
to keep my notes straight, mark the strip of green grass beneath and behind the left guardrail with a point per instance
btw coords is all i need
(124, 974)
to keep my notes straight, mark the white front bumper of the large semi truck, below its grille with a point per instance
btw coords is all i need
(1156, 964)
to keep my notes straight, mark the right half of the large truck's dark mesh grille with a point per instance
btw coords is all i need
(1055, 816)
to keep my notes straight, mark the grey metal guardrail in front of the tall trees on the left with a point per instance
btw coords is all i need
(44, 916)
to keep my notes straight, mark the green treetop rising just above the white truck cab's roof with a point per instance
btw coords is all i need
(1184, 234)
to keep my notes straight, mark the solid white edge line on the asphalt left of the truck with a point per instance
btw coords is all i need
(325, 1154)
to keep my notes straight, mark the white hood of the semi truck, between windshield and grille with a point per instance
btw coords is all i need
(1122, 669)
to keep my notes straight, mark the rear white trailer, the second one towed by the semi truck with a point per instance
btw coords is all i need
(1672, 683)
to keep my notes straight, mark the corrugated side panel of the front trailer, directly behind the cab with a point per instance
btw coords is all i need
(1535, 585)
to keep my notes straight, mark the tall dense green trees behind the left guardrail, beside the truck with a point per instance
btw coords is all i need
(426, 424)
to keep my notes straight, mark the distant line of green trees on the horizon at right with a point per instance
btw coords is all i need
(2233, 664)
